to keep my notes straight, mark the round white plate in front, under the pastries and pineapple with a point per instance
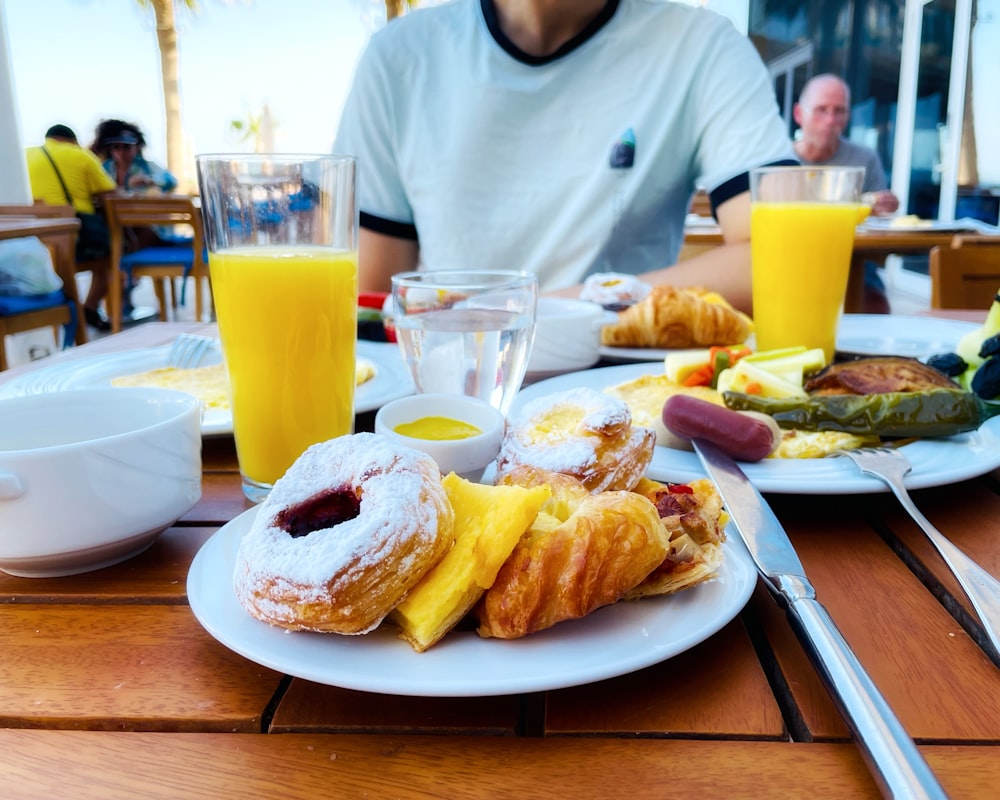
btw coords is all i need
(611, 641)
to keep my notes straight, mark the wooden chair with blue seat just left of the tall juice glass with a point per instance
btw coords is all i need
(187, 258)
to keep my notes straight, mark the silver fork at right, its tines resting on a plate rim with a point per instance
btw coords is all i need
(983, 590)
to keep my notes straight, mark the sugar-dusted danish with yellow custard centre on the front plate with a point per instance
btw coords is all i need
(582, 433)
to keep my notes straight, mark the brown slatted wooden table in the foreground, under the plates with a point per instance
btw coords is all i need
(110, 688)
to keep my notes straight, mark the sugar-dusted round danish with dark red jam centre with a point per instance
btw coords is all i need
(343, 536)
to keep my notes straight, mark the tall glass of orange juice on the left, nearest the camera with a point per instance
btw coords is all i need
(282, 234)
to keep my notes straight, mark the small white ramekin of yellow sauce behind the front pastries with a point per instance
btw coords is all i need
(467, 457)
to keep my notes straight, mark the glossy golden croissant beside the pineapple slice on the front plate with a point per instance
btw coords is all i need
(582, 552)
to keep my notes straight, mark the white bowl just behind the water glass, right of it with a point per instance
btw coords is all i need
(567, 336)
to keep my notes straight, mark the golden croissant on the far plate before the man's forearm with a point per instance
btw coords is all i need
(676, 318)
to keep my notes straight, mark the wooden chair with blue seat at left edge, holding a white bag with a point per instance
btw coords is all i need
(60, 309)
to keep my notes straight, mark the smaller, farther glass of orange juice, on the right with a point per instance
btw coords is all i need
(801, 237)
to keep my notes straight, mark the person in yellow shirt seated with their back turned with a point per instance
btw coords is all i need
(61, 172)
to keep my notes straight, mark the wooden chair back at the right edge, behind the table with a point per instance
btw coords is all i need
(965, 274)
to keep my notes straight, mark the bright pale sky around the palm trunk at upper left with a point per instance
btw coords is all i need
(80, 61)
